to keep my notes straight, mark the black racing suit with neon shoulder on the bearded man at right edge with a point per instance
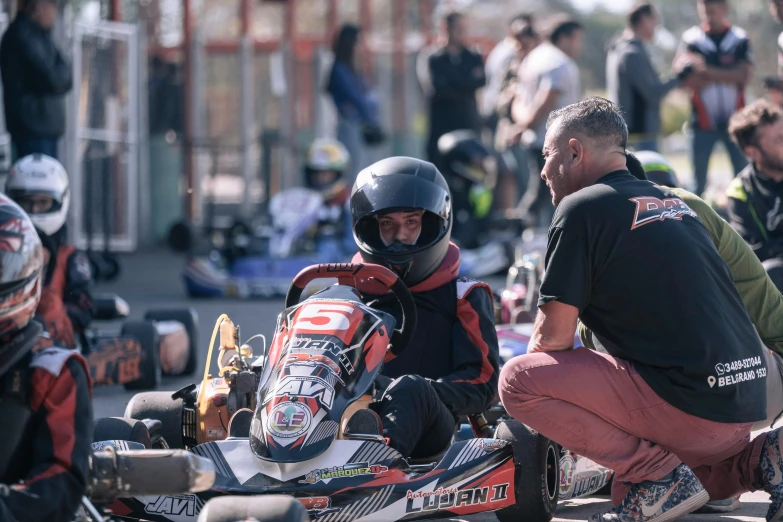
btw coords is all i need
(756, 212)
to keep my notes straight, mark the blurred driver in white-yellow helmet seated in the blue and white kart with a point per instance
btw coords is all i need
(325, 166)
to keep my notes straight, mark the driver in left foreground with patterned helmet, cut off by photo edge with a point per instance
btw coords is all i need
(45, 408)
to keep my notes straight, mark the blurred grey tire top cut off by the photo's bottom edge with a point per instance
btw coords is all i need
(264, 508)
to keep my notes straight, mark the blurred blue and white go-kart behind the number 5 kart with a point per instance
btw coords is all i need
(259, 261)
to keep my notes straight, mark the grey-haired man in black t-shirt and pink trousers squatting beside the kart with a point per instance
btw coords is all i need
(671, 406)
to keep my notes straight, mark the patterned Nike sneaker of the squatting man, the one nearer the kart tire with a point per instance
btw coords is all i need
(669, 498)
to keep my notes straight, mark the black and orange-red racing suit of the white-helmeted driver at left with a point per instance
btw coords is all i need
(66, 302)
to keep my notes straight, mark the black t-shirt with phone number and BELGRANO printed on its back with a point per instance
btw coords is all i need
(641, 268)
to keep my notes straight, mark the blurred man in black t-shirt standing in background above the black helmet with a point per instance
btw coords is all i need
(450, 78)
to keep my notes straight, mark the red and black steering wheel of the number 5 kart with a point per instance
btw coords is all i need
(347, 274)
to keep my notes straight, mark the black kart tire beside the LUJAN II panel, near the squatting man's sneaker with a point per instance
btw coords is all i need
(537, 461)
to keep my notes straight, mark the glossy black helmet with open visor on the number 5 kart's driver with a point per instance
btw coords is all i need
(394, 185)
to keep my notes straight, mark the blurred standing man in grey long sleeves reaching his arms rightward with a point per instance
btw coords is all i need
(633, 82)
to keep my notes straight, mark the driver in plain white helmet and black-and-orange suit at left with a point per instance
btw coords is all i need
(39, 184)
